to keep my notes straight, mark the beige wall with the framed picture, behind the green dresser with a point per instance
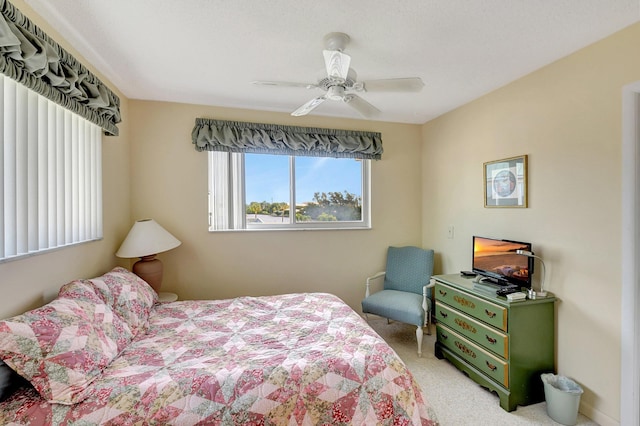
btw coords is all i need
(567, 118)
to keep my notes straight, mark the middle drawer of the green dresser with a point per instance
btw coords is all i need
(485, 336)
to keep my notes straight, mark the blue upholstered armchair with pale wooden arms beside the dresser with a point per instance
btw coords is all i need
(406, 296)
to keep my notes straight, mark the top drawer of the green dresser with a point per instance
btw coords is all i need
(481, 309)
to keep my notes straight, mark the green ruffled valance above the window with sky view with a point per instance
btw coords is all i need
(237, 136)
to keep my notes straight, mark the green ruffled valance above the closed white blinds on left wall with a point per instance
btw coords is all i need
(31, 57)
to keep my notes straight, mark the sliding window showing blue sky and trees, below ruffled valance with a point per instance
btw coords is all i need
(263, 191)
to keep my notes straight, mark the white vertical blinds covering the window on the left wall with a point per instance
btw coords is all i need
(51, 176)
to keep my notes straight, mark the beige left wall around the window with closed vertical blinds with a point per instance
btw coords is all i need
(33, 281)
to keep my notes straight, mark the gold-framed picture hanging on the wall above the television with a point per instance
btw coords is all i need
(505, 183)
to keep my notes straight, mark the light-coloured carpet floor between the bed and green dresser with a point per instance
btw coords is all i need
(456, 399)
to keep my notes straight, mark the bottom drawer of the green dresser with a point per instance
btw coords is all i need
(492, 366)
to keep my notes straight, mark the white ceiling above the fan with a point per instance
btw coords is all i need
(208, 51)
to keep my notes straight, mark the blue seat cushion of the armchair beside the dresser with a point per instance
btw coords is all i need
(397, 305)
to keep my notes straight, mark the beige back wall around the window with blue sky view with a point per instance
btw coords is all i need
(169, 184)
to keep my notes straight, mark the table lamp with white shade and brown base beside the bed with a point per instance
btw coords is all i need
(146, 239)
